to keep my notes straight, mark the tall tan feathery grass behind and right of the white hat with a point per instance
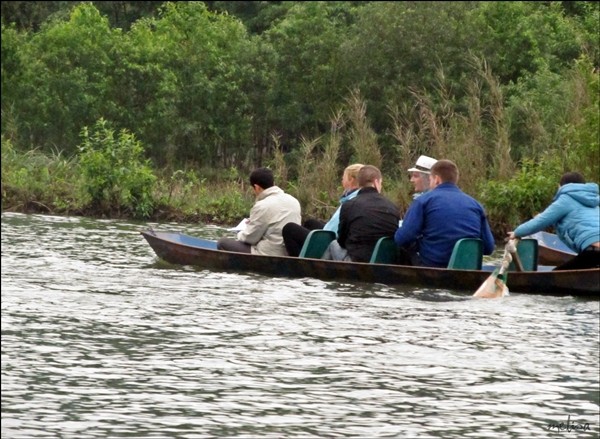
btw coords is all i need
(476, 138)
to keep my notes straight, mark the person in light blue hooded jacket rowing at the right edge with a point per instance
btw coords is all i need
(575, 213)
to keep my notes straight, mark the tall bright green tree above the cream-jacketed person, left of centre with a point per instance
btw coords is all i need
(205, 54)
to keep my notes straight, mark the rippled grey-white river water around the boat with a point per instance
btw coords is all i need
(100, 339)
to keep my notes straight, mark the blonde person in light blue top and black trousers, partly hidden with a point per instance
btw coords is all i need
(294, 234)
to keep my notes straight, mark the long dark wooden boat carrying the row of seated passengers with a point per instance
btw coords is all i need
(178, 248)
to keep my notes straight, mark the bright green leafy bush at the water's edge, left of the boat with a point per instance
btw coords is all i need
(115, 175)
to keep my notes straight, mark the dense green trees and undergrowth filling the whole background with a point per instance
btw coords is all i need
(502, 88)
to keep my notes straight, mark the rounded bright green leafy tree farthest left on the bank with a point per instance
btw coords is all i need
(65, 83)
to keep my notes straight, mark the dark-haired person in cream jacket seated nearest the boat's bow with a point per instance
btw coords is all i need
(272, 210)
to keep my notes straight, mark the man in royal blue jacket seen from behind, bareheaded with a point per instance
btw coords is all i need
(440, 217)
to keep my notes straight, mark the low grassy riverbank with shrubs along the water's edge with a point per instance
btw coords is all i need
(114, 183)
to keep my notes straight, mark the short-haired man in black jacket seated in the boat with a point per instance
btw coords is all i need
(364, 220)
